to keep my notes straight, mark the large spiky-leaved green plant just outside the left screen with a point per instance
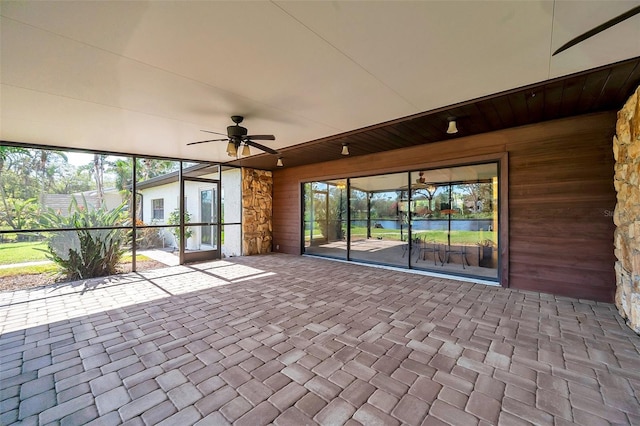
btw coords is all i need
(84, 253)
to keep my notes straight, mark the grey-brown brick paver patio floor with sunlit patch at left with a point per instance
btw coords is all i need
(291, 340)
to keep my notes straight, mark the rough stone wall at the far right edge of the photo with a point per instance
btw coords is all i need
(626, 151)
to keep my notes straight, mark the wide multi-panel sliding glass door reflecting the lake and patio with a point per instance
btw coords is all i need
(443, 220)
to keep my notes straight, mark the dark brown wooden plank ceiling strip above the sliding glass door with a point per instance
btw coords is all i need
(601, 89)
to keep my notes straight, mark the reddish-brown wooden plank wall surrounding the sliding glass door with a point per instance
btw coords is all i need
(560, 190)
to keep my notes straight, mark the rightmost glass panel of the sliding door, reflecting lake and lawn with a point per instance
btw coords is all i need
(456, 220)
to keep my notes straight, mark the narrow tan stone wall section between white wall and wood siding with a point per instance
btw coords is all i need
(257, 208)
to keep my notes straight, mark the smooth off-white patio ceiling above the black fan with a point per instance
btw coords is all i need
(146, 77)
